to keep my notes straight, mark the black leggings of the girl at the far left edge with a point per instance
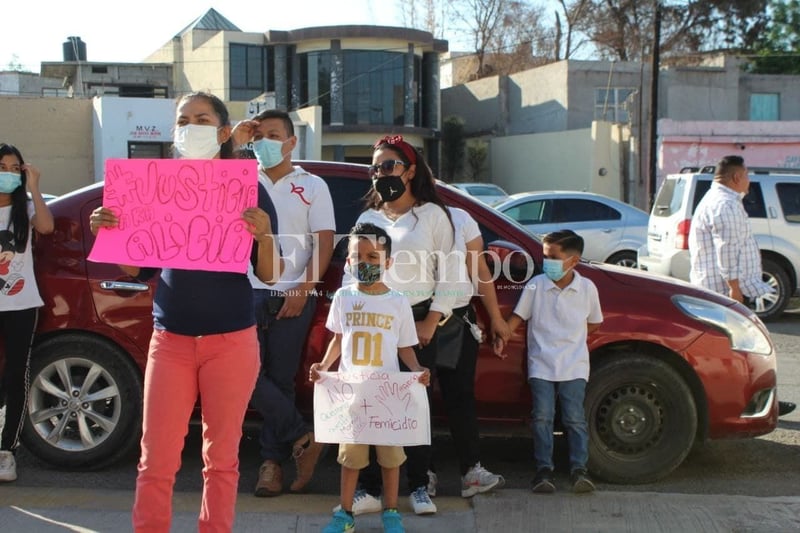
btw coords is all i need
(18, 328)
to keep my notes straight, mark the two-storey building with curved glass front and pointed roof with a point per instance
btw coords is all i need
(368, 80)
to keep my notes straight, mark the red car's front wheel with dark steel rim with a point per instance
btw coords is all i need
(642, 419)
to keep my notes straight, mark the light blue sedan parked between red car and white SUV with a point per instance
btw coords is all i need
(612, 230)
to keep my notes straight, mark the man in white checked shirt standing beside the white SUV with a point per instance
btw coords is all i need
(724, 254)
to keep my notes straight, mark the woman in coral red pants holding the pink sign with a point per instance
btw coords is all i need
(204, 343)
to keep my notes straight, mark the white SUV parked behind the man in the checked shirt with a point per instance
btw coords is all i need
(773, 204)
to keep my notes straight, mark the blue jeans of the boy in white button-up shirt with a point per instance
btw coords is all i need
(570, 394)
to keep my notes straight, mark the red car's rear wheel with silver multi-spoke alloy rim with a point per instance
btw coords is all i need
(85, 403)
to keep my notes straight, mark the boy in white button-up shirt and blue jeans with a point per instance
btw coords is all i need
(562, 308)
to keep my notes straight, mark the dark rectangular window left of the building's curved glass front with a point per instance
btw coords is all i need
(249, 71)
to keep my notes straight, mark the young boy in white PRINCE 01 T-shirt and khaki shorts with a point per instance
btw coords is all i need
(390, 334)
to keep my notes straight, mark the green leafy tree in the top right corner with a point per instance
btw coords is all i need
(778, 49)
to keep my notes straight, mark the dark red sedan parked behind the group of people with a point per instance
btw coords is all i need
(671, 363)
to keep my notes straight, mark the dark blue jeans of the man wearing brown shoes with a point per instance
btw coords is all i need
(281, 343)
